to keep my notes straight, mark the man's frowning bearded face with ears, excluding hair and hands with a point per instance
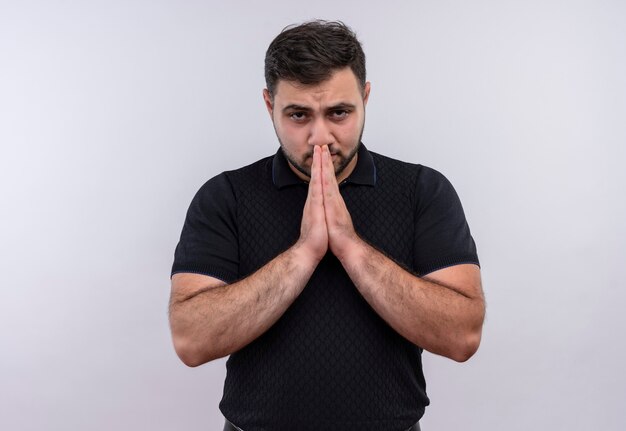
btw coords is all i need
(330, 113)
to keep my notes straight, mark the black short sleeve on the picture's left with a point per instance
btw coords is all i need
(208, 243)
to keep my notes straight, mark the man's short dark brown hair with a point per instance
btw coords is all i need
(309, 53)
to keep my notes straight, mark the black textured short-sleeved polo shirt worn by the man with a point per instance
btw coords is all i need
(330, 362)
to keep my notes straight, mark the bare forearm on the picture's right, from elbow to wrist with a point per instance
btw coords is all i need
(442, 319)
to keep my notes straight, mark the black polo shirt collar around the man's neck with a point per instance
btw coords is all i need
(364, 172)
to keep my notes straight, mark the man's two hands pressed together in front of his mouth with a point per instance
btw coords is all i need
(326, 222)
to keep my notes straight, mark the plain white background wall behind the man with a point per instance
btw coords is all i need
(113, 113)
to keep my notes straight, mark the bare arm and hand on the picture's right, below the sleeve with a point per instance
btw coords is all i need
(443, 313)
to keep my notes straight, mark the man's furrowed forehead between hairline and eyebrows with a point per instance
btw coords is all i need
(342, 86)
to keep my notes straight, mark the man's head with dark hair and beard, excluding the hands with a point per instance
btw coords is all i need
(316, 93)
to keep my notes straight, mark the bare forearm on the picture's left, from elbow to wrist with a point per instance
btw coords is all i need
(212, 322)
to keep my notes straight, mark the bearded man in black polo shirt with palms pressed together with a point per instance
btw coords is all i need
(323, 271)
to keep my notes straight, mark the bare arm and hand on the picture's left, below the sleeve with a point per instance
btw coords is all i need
(210, 319)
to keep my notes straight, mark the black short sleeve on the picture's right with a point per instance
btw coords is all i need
(442, 235)
